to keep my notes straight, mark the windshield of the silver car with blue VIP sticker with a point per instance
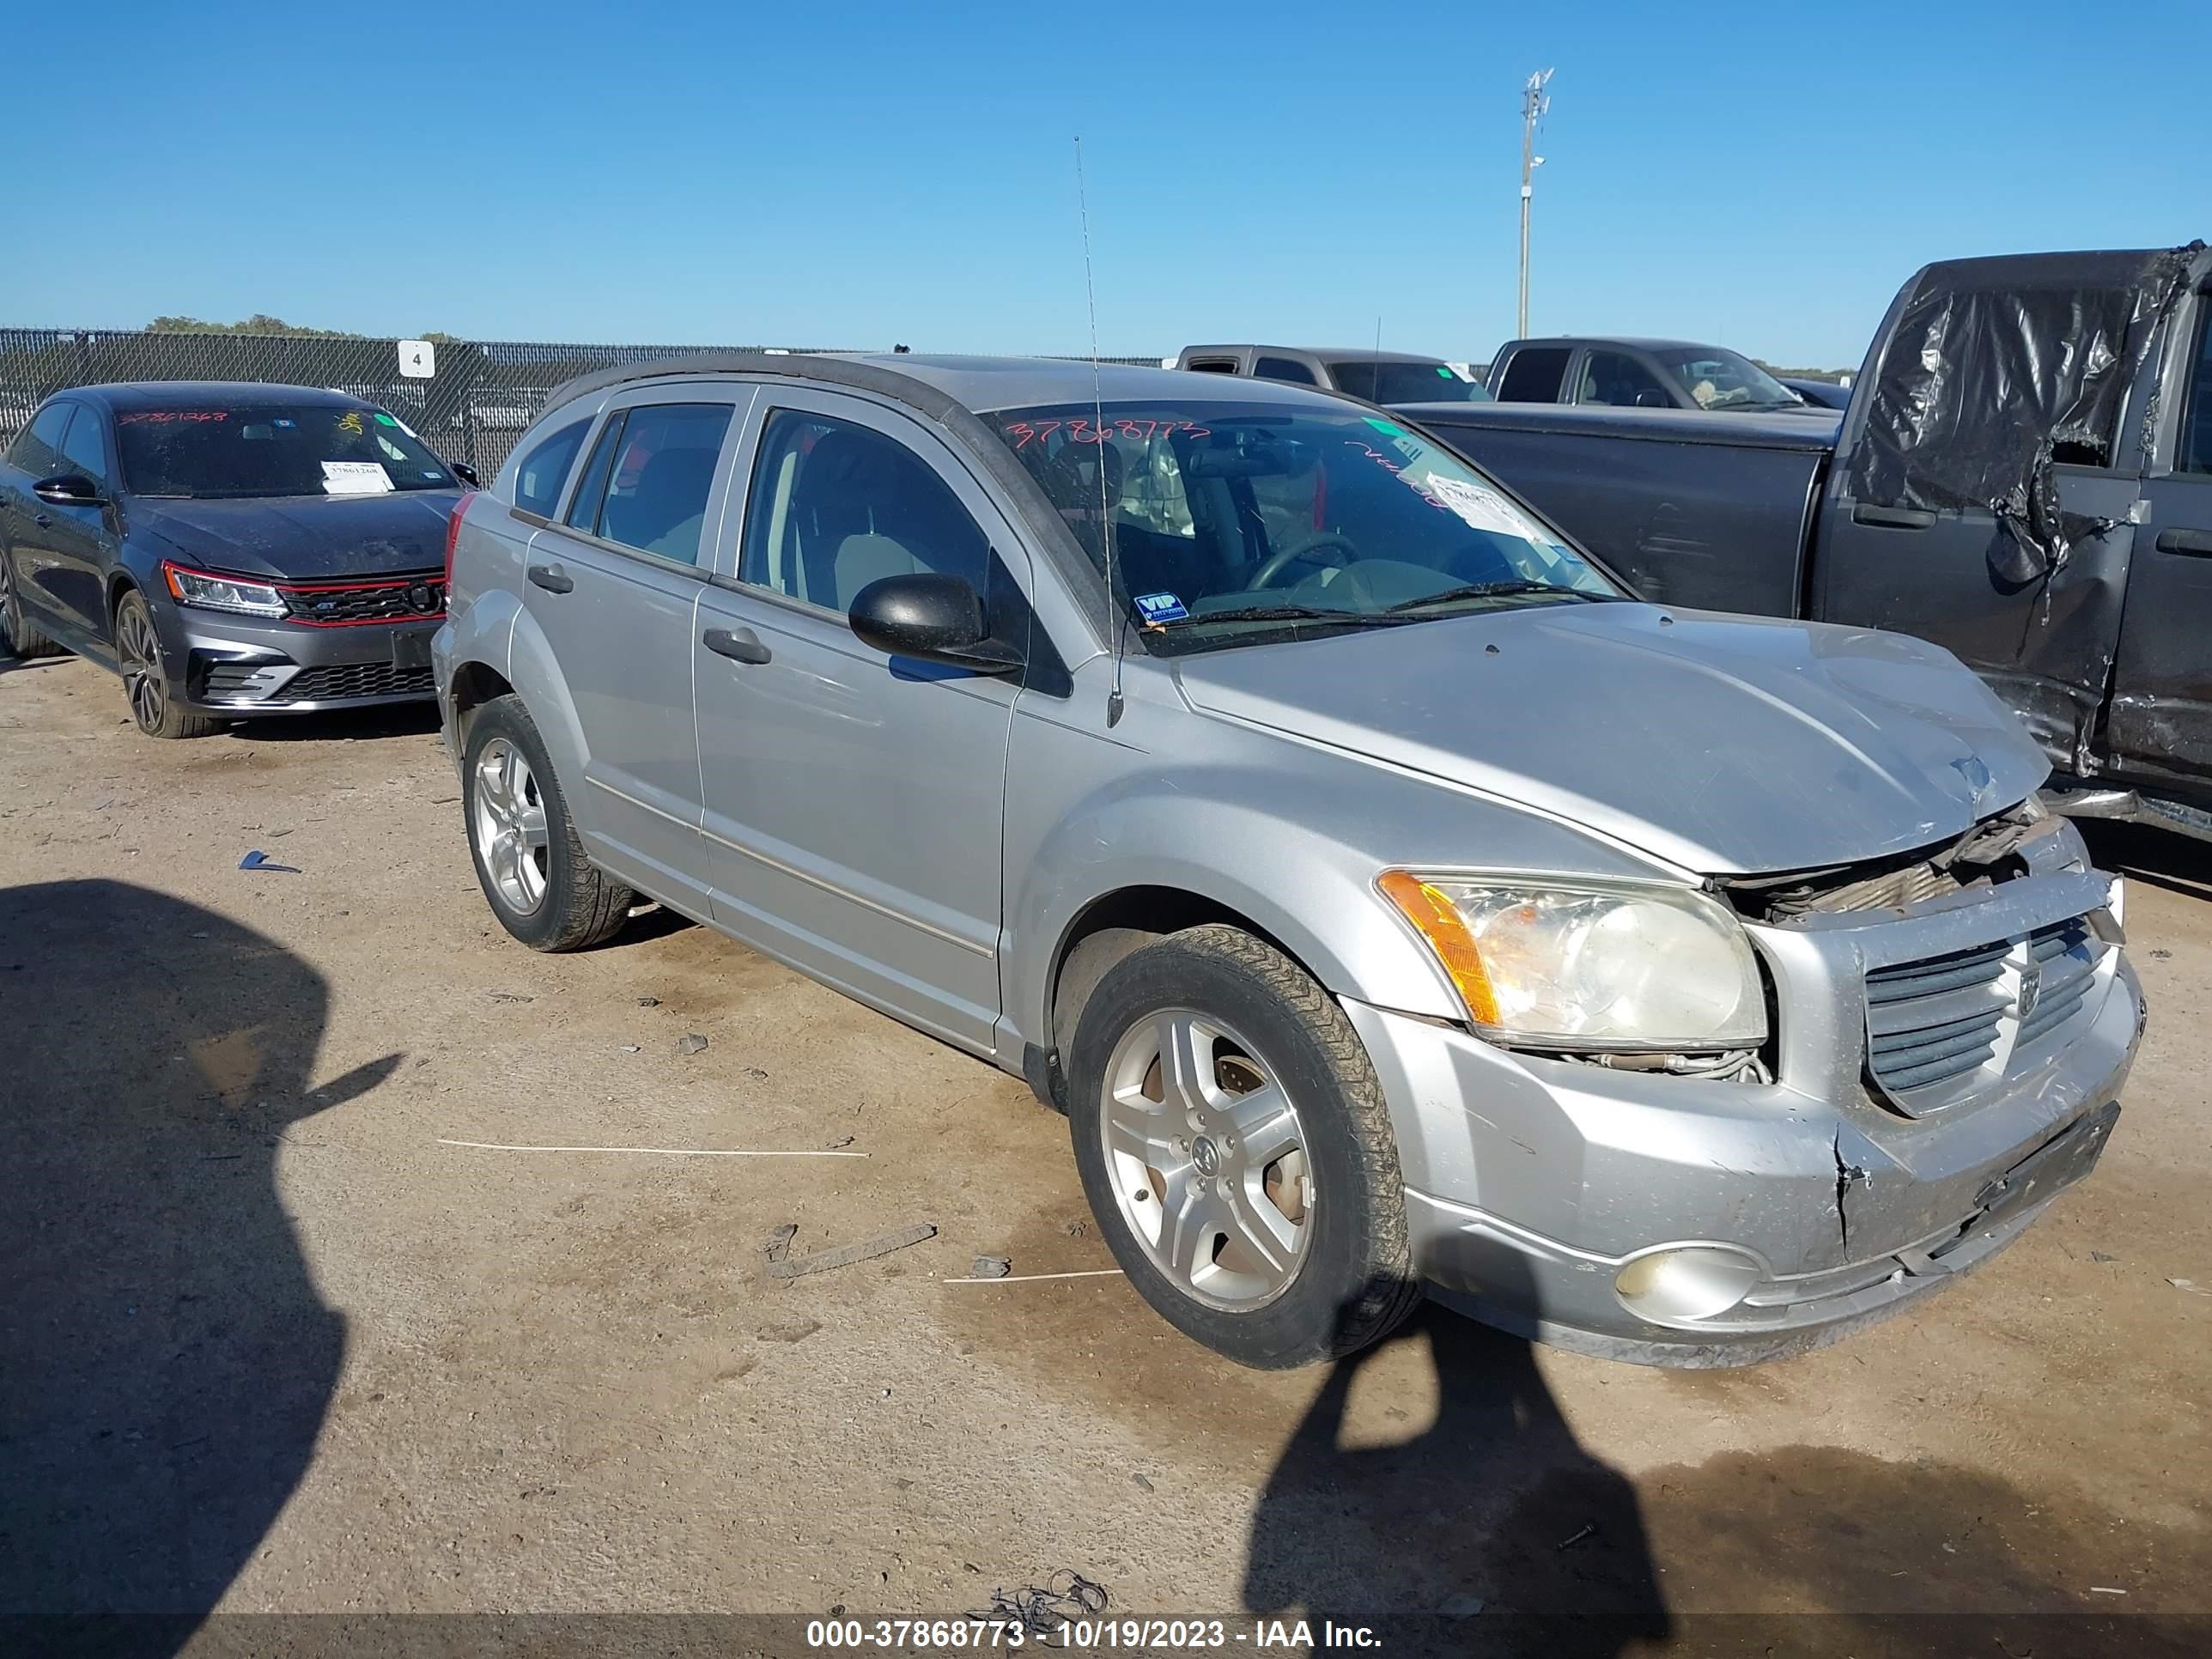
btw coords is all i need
(1235, 523)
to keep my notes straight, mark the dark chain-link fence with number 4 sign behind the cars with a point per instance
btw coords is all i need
(468, 399)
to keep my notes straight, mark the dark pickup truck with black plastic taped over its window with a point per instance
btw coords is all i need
(2025, 477)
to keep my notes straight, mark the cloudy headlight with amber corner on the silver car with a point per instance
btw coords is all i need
(1589, 966)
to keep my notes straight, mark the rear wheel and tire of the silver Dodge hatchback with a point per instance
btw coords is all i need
(528, 857)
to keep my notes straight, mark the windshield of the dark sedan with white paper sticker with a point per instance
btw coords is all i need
(273, 450)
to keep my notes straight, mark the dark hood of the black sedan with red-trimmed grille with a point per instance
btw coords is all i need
(304, 539)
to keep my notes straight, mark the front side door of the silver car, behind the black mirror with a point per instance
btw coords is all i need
(853, 800)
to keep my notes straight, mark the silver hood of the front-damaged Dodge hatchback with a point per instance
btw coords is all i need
(1718, 744)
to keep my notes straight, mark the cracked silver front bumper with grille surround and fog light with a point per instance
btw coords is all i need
(1698, 1224)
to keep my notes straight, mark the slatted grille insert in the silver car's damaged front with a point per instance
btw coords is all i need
(1937, 1021)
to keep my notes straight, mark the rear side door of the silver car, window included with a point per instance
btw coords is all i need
(614, 587)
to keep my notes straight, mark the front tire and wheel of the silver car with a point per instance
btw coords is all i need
(1238, 1151)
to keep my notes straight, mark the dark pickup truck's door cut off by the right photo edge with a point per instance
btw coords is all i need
(2162, 687)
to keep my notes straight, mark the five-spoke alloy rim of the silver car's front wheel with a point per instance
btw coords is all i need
(1207, 1156)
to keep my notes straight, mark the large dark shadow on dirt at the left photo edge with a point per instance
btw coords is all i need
(167, 1355)
